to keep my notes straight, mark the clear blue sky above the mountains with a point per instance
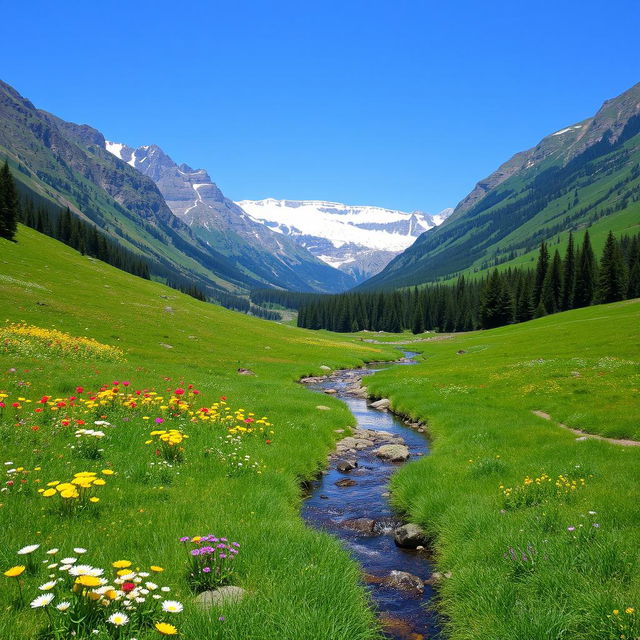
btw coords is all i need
(403, 104)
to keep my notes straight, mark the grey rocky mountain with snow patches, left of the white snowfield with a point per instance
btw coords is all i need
(268, 257)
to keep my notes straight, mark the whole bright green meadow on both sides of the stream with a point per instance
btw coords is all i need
(536, 526)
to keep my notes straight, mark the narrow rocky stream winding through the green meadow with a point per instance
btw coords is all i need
(347, 509)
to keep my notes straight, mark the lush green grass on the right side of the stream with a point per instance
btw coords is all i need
(581, 367)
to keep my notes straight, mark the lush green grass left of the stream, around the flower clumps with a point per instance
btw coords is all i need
(301, 583)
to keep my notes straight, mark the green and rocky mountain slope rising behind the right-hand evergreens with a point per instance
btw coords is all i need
(585, 174)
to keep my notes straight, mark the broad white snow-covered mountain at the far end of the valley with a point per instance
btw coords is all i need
(359, 240)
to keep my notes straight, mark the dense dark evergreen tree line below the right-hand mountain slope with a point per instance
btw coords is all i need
(502, 297)
